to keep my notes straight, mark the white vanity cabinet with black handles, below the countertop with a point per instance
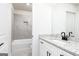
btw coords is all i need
(47, 49)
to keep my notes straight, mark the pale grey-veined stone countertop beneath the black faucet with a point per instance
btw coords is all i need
(69, 46)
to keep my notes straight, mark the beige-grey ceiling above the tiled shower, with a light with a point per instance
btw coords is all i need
(22, 6)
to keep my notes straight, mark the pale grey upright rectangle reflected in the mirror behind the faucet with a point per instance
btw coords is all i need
(70, 22)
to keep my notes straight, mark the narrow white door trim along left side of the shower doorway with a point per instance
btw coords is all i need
(10, 40)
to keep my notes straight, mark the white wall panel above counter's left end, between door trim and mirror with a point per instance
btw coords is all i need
(44, 16)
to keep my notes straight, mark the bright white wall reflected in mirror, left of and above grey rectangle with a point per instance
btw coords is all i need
(59, 16)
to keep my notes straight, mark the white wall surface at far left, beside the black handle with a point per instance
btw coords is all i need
(5, 27)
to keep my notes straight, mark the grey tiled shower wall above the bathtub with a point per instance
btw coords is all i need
(22, 26)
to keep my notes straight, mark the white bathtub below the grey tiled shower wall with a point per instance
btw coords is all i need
(22, 47)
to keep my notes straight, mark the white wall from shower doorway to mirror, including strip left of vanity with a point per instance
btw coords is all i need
(41, 24)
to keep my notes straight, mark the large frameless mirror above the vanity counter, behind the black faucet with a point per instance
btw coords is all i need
(65, 18)
